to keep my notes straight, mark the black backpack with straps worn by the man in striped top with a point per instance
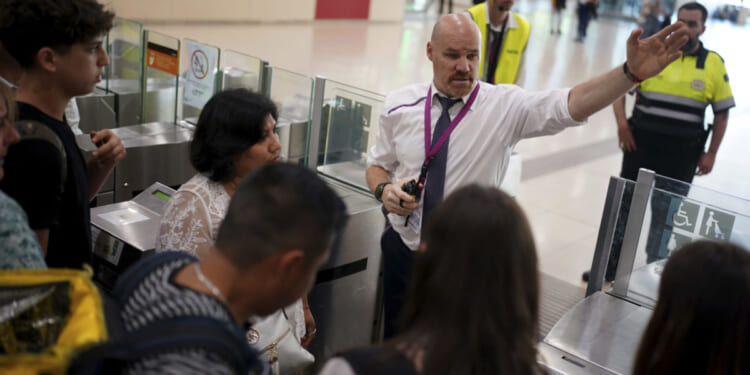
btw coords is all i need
(114, 355)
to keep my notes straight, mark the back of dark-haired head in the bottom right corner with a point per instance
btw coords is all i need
(701, 324)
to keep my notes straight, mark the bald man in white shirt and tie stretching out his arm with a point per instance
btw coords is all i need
(481, 131)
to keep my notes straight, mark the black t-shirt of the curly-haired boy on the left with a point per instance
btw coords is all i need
(33, 175)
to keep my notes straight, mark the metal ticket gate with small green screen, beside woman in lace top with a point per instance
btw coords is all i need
(125, 232)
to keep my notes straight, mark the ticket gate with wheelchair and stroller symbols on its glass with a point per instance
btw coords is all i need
(601, 334)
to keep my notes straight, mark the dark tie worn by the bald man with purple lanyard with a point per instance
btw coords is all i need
(433, 189)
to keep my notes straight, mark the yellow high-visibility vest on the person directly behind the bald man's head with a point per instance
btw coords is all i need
(512, 48)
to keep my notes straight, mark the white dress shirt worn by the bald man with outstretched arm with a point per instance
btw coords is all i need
(479, 147)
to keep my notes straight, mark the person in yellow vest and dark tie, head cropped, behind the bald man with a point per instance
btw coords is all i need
(504, 39)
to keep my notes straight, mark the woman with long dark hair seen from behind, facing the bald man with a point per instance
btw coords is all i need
(473, 303)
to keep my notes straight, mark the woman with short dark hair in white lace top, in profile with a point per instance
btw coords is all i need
(234, 136)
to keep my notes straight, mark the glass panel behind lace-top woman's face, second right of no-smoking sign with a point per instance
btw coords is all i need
(292, 93)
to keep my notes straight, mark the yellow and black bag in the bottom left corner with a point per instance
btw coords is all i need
(46, 316)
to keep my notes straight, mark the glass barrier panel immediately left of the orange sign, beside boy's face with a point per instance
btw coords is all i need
(125, 69)
